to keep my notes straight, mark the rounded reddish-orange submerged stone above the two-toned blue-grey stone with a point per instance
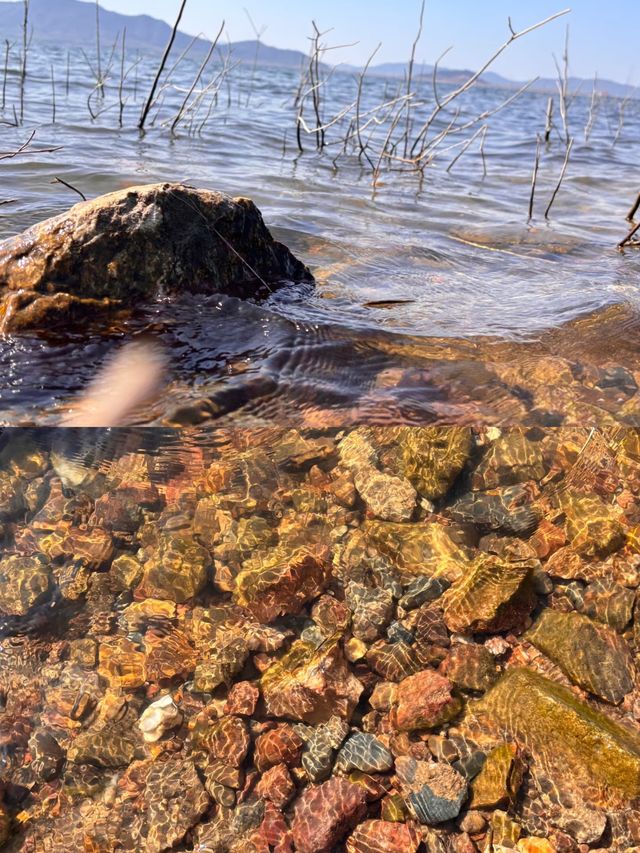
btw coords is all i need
(424, 701)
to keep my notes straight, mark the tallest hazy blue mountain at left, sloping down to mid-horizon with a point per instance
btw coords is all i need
(71, 23)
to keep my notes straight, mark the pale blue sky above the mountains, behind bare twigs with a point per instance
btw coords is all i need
(603, 35)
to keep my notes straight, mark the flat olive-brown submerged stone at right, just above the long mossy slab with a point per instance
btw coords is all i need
(591, 655)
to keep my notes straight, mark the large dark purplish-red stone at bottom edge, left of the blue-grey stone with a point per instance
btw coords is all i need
(324, 814)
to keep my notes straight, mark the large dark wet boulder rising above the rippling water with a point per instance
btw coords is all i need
(136, 244)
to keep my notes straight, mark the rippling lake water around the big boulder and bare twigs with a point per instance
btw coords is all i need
(455, 250)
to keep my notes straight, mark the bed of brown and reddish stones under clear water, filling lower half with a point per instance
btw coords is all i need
(228, 649)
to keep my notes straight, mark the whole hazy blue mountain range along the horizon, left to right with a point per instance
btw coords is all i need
(72, 23)
